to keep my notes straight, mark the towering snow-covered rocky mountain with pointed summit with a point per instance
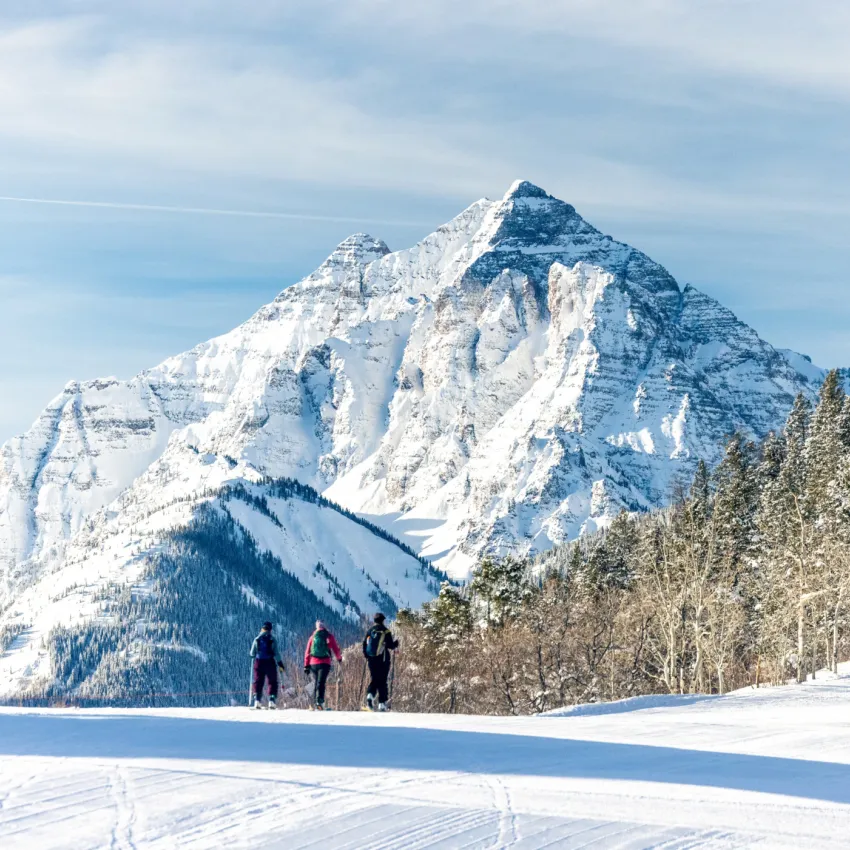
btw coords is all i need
(513, 379)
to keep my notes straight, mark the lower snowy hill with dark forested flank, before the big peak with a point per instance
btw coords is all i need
(172, 578)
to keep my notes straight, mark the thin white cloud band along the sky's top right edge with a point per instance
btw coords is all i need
(782, 42)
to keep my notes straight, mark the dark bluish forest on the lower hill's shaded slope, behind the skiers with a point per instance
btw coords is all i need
(181, 635)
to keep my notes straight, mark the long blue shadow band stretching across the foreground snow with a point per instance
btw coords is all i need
(369, 747)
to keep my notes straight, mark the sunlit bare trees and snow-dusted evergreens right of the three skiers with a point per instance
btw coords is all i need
(743, 580)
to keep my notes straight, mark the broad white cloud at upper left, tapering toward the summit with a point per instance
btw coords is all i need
(72, 86)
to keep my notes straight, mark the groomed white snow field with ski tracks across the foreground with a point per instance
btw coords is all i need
(767, 769)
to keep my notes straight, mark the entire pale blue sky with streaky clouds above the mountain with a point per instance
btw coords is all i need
(712, 135)
